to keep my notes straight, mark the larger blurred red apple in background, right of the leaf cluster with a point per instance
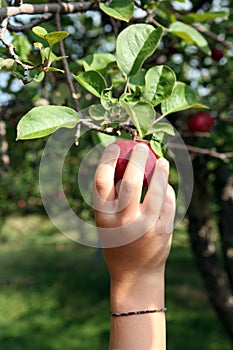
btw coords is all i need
(200, 122)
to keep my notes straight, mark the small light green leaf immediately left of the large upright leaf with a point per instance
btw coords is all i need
(97, 61)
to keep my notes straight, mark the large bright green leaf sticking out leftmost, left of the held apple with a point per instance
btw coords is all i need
(44, 120)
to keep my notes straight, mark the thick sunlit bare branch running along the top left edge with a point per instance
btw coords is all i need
(45, 8)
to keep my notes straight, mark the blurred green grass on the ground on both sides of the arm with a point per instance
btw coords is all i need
(54, 293)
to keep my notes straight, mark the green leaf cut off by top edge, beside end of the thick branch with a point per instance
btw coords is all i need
(119, 9)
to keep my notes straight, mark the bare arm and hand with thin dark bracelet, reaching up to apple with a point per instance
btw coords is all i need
(137, 267)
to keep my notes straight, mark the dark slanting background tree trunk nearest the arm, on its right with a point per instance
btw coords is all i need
(215, 277)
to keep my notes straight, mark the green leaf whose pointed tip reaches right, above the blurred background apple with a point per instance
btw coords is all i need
(182, 98)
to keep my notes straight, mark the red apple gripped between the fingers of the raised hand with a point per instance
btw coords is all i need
(126, 147)
